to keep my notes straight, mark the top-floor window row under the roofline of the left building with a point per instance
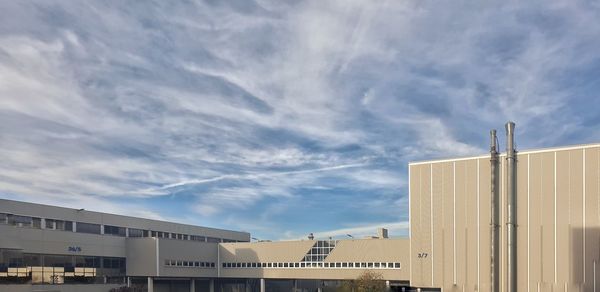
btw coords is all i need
(91, 228)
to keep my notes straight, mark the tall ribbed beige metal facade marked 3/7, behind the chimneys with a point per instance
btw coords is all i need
(558, 221)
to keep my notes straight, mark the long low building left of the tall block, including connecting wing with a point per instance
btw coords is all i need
(46, 248)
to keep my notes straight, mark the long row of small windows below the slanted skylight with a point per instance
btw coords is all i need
(354, 265)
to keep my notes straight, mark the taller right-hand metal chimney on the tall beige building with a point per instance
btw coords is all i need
(511, 224)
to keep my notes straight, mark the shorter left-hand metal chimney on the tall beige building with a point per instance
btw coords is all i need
(494, 215)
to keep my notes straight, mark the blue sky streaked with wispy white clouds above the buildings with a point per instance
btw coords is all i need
(279, 118)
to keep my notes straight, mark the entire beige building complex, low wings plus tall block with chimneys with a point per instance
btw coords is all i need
(513, 221)
